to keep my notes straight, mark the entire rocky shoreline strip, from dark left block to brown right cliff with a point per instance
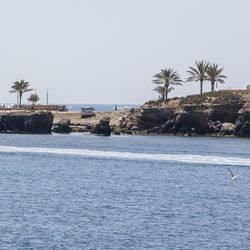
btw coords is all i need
(210, 114)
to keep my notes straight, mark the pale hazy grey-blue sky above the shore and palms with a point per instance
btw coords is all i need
(96, 51)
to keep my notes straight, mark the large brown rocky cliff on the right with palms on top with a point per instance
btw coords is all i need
(210, 114)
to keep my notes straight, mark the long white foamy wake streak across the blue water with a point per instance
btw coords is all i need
(185, 158)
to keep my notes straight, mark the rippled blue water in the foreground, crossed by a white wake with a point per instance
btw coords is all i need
(123, 192)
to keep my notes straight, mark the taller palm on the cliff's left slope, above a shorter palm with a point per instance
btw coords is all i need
(167, 77)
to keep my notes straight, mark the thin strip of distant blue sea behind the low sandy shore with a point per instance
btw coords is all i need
(101, 107)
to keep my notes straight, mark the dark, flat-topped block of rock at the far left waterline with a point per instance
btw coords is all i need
(24, 122)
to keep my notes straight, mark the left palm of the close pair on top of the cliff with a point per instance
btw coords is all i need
(198, 74)
